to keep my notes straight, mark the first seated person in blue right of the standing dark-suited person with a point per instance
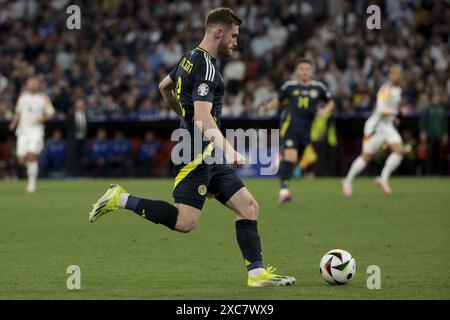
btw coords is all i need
(101, 153)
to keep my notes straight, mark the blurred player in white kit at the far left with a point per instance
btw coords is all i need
(33, 109)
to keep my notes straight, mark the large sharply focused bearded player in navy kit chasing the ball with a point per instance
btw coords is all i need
(194, 89)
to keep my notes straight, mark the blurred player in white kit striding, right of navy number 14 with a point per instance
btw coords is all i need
(378, 129)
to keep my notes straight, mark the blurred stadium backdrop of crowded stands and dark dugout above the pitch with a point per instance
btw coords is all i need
(115, 61)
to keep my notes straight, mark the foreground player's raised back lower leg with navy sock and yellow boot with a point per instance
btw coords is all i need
(159, 212)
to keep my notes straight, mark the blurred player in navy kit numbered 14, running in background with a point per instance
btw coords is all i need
(300, 99)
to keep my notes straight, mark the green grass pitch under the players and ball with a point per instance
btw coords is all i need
(123, 256)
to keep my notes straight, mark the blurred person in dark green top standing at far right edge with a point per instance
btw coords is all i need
(434, 134)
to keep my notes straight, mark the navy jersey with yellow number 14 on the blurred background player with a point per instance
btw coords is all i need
(301, 103)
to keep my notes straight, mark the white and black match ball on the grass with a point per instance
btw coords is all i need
(337, 267)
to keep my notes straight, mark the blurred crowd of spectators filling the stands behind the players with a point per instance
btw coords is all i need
(117, 58)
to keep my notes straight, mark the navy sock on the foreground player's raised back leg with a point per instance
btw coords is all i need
(156, 211)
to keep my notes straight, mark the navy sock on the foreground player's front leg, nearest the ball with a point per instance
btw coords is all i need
(249, 243)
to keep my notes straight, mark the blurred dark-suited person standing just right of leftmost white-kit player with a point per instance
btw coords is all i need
(76, 126)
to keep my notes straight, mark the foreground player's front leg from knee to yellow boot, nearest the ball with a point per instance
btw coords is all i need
(246, 207)
